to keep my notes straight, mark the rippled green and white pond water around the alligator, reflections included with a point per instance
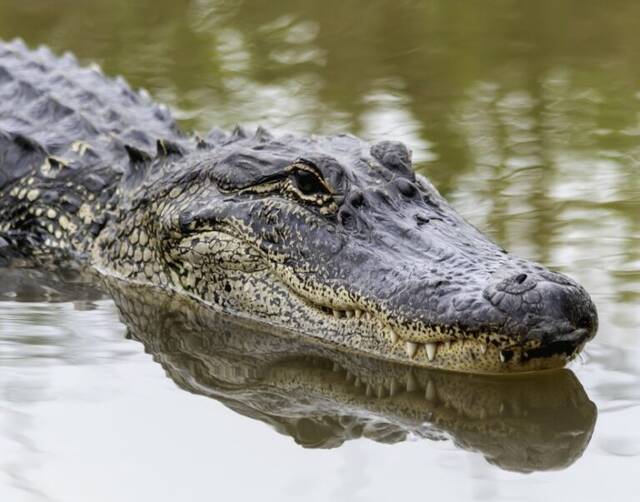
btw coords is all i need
(526, 115)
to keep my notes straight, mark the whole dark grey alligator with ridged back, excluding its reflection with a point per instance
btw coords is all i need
(331, 237)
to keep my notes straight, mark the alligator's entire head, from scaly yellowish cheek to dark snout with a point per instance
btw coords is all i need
(345, 243)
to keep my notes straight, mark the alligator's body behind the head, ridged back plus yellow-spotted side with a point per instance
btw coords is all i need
(67, 136)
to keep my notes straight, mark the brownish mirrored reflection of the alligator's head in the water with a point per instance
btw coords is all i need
(323, 398)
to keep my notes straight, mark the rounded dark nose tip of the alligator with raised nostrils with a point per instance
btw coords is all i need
(545, 307)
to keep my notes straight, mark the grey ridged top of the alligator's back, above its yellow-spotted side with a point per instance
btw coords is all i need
(51, 106)
